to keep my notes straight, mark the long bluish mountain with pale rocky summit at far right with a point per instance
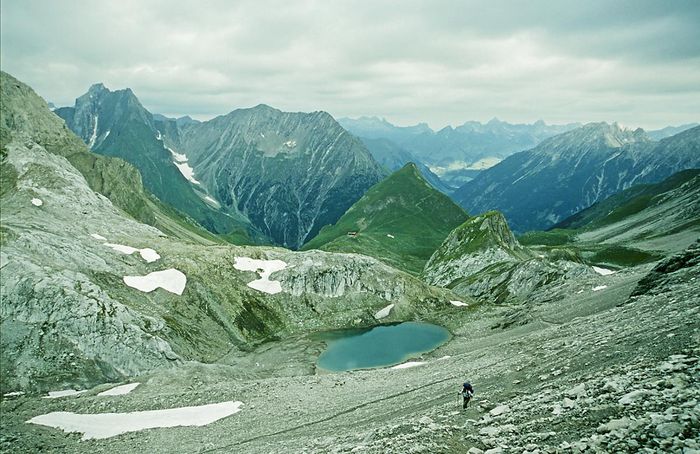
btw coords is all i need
(537, 188)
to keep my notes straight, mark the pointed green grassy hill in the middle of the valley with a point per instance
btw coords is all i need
(401, 221)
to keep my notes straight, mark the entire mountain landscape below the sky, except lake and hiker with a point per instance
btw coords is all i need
(168, 285)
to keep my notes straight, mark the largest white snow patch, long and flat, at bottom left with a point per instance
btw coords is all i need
(105, 425)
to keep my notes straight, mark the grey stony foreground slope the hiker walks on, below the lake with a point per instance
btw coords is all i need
(573, 372)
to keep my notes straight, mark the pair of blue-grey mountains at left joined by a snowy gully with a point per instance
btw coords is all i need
(254, 175)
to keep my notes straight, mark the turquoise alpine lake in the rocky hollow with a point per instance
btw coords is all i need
(381, 346)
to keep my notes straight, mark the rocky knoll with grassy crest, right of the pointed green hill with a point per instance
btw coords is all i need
(482, 259)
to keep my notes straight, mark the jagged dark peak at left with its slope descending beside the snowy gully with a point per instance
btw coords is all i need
(114, 123)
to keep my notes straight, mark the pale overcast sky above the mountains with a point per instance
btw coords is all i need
(440, 62)
